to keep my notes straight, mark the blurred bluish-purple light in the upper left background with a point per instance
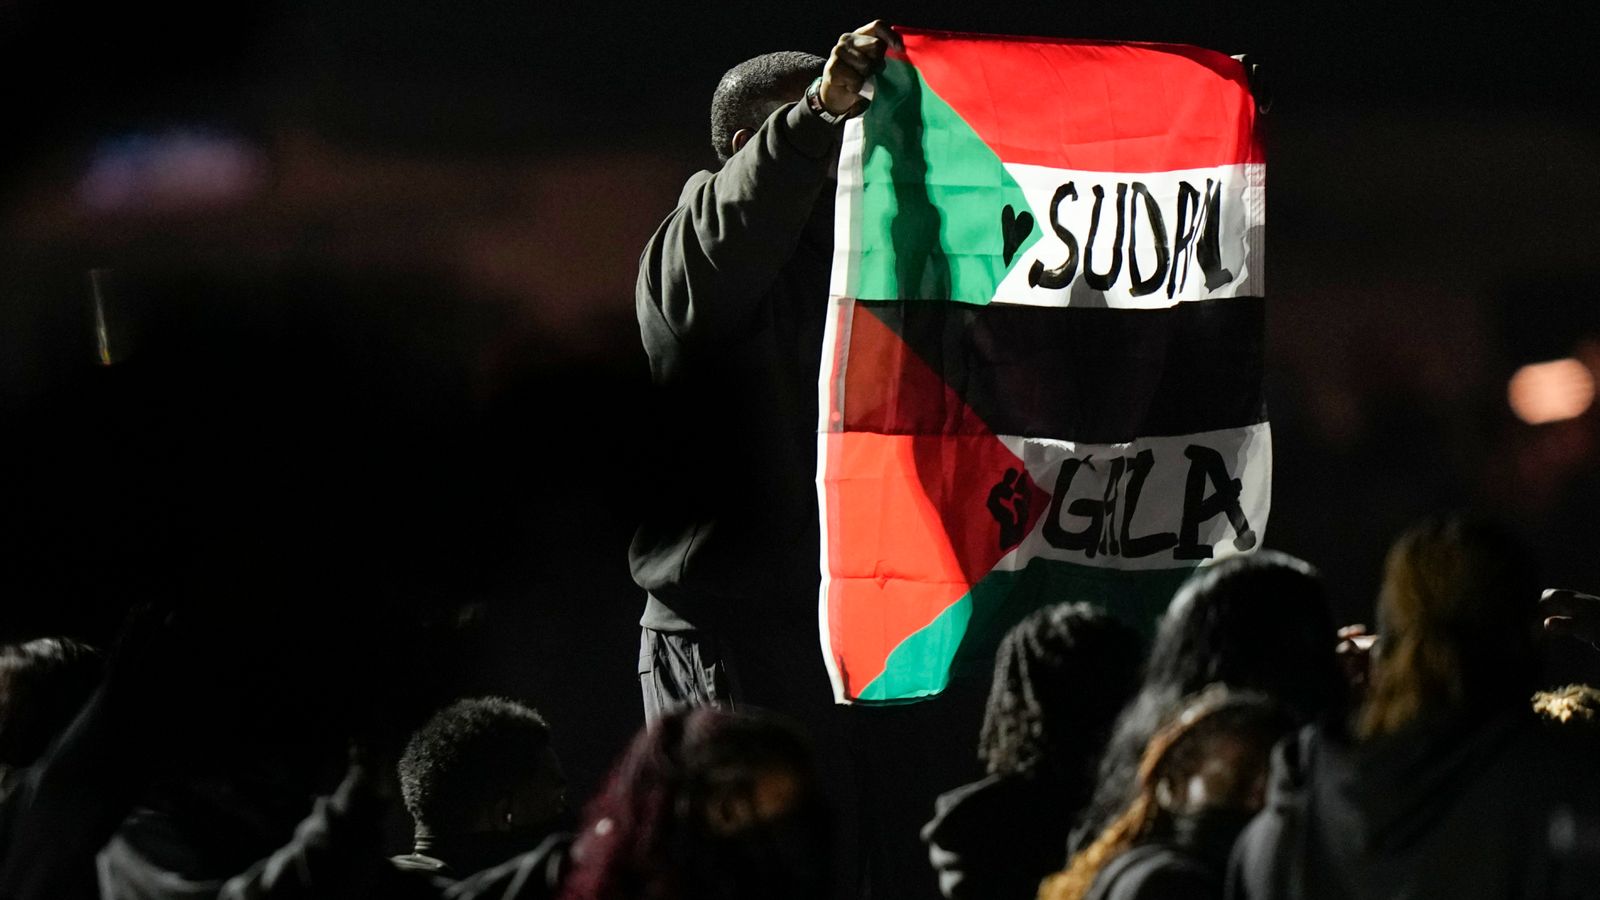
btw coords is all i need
(170, 172)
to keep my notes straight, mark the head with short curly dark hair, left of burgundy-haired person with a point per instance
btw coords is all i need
(482, 782)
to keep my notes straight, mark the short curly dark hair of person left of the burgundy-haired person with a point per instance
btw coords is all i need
(468, 757)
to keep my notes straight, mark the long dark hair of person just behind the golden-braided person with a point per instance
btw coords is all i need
(1255, 622)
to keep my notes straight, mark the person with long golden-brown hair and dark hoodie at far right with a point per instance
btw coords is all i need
(1444, 782)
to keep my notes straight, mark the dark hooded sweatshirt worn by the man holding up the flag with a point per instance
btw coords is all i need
(732, 299)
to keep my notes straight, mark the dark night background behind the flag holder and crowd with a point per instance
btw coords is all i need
(367, 284)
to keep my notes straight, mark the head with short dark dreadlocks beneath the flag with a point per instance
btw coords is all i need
(1062, 677)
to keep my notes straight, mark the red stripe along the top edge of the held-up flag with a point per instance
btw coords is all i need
(1094, 106)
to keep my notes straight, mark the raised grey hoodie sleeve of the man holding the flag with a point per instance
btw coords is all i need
(708, 267)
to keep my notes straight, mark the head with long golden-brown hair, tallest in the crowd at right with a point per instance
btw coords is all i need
(1457, 624)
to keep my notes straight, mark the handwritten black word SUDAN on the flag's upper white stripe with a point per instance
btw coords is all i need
(1198, 219)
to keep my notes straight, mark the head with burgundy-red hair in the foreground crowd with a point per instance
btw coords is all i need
(708, 805)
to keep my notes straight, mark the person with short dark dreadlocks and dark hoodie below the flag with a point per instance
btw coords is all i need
(1060, 678)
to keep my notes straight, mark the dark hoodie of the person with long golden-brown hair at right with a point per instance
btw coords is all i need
(1447, 808)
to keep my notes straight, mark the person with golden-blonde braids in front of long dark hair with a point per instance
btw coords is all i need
(1201, 781)
